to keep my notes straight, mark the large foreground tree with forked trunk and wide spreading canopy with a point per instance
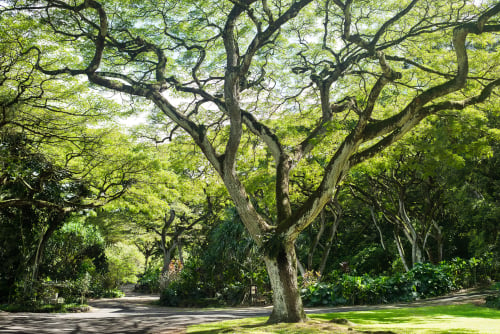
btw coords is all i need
(355, 76)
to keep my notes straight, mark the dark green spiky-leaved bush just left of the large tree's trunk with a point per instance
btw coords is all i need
(222, 271)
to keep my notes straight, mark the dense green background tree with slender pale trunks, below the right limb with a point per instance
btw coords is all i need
(419, 183)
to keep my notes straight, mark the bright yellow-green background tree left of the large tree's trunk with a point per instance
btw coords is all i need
(165, 209)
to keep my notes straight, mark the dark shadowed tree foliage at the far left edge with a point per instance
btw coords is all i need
(39, 190)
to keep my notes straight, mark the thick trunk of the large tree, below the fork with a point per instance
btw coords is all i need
(282, 270)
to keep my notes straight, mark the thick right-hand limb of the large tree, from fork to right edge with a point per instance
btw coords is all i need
(397, 126)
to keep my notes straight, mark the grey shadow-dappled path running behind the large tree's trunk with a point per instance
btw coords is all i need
(135, 314)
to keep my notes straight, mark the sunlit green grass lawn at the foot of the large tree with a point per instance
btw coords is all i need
(457, 319)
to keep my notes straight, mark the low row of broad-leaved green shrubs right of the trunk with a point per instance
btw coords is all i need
(423, 281)
